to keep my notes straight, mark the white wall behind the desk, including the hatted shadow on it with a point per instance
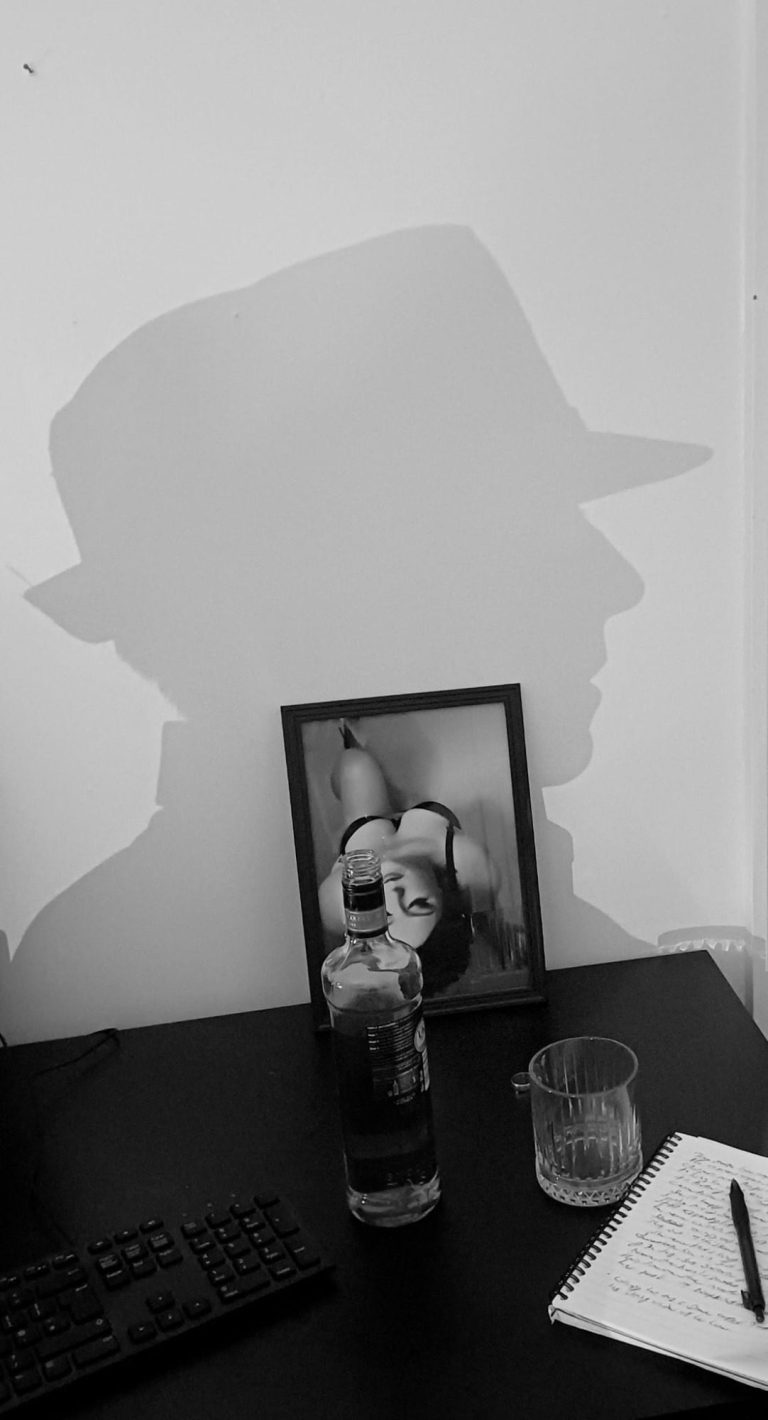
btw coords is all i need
(155, 157)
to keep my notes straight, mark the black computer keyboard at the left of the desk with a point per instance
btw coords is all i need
(130, 1293)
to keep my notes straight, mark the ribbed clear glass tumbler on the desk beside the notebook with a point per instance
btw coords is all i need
(587, 1131)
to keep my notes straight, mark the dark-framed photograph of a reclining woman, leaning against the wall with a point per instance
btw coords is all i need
(438, 783)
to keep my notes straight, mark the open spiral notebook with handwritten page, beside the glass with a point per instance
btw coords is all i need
(665, 1270)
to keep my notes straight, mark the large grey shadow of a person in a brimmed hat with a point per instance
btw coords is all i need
(366, 445)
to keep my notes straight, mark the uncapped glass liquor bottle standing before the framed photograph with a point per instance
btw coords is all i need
(373, 986)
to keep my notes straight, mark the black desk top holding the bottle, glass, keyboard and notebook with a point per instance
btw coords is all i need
(446, 1318)
